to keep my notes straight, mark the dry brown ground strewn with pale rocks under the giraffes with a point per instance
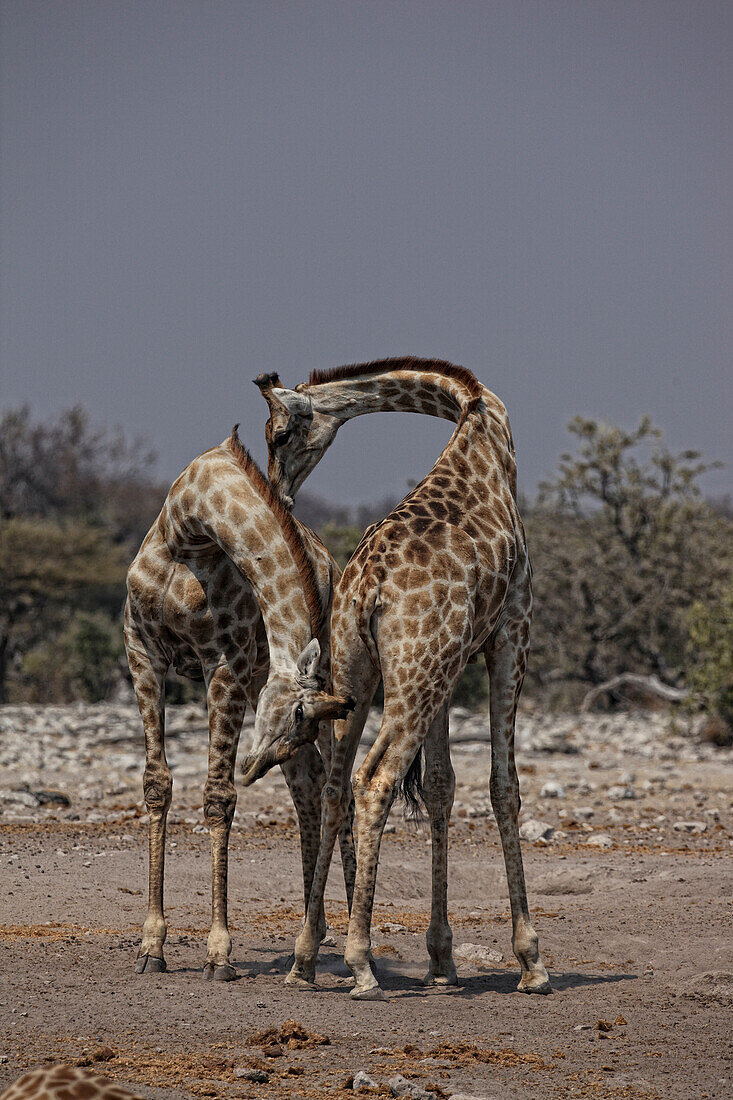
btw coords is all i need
(627, 824)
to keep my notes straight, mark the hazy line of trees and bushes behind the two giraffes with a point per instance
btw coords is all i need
(633, 568)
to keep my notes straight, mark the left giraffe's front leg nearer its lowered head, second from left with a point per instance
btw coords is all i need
(227, 702)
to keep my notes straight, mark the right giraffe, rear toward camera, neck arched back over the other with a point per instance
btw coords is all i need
(442, 579)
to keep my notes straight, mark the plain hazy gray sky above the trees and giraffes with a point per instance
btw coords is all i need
(198, 192)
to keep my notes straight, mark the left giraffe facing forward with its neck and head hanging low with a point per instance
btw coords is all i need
(229, 588)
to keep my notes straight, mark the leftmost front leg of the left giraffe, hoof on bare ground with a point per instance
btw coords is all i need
(149, 683)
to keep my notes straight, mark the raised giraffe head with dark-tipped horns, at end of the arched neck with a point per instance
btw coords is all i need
(297, 436)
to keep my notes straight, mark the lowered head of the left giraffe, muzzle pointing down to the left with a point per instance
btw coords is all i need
(290, 711)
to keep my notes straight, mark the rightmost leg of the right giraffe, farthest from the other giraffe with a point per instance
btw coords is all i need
(507, 662)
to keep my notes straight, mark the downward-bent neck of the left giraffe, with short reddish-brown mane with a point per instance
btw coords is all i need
(216, 502)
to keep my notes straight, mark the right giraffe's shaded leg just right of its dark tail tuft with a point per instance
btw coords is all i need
(439, 789)
